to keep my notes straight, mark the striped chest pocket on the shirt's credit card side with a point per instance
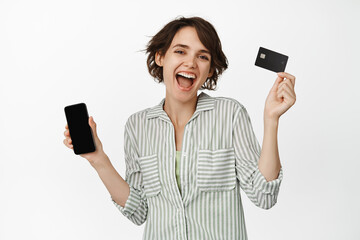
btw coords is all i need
(216, 170)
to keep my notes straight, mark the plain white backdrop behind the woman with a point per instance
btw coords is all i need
(57, 53)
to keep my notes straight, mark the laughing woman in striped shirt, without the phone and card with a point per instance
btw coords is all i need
(188, 157)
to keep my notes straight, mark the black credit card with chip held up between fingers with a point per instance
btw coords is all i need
(271, 60)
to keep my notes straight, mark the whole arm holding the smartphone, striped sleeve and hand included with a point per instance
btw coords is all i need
(127, 195)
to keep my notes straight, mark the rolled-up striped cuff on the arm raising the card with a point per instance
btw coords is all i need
(267, 187)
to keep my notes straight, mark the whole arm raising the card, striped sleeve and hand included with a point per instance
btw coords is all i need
(261, 179)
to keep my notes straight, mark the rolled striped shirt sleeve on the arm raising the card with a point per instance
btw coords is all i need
(261, 192)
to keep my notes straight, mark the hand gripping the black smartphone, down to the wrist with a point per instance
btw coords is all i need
(96, 158)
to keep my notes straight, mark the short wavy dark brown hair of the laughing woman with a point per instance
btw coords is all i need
(207, 34)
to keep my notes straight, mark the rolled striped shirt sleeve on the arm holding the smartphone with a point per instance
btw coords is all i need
(136, 207)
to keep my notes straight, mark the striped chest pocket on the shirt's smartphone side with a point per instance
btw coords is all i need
(150, 172)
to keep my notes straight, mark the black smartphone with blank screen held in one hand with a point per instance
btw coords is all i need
(81, 135)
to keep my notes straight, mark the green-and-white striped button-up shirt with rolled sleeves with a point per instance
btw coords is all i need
(219, 156)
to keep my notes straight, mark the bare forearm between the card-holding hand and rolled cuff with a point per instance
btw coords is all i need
(269, 162)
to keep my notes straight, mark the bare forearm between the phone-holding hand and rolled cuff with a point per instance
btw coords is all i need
(118, 188)
